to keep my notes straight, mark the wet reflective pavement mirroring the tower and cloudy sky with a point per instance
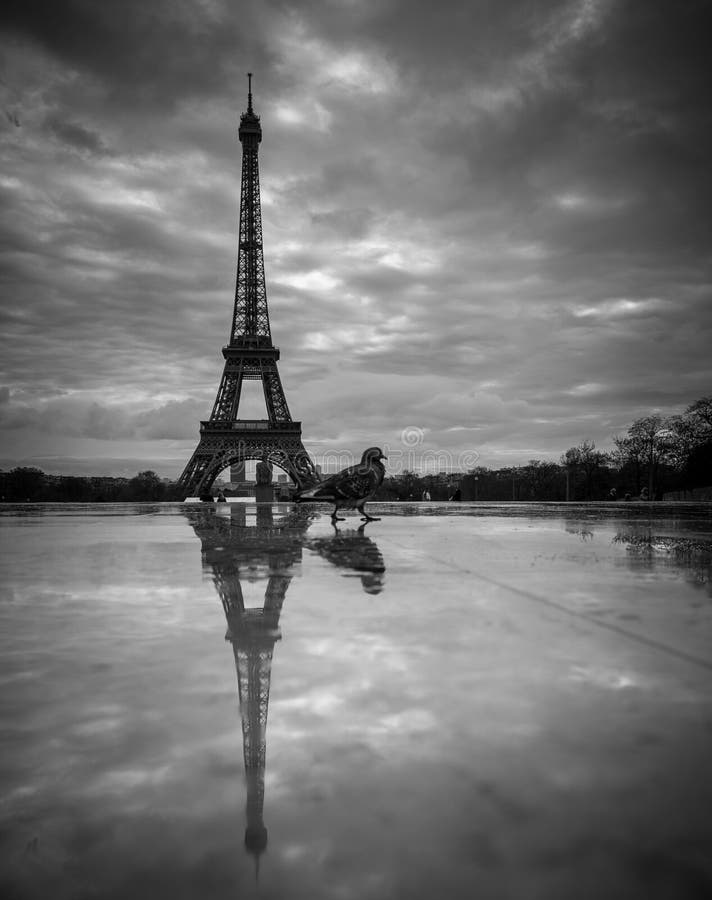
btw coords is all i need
(458, 701)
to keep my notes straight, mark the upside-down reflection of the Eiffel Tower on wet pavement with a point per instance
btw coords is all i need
(269, 550)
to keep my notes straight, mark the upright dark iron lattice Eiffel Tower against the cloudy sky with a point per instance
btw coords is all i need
(225, 439)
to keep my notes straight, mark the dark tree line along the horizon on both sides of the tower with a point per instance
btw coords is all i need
(655, 456)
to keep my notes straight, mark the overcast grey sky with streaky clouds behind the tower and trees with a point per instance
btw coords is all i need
(488, 220)
